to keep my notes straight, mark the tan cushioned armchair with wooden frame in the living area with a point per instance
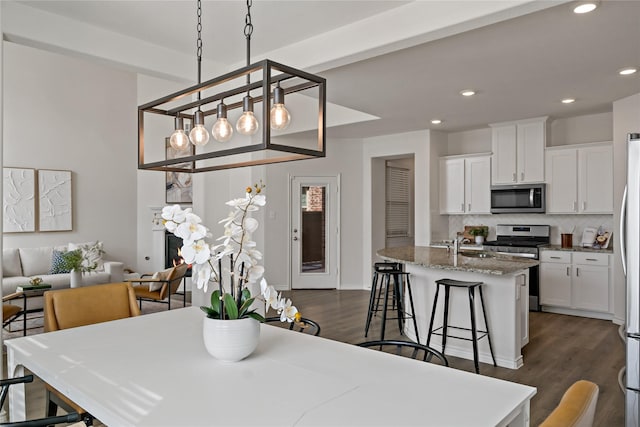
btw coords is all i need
(161, 286)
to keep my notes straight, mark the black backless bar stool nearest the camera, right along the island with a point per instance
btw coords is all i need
(471, 286)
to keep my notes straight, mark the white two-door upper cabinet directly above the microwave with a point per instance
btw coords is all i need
(518, 151)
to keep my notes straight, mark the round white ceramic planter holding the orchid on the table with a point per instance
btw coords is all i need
(230, 340)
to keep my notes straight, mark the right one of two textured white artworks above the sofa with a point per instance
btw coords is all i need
(55, 200)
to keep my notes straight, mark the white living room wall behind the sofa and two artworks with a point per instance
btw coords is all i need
(70, 114)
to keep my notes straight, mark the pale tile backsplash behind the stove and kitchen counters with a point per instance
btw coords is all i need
(559, 224)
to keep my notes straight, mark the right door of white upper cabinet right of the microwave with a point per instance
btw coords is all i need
(595, 179)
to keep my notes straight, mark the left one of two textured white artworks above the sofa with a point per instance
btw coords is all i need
(18, 200)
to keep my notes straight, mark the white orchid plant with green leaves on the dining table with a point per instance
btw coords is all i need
(233, 264)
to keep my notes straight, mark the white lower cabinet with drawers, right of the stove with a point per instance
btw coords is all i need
(578, 281)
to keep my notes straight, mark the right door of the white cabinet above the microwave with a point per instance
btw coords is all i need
(530, 152)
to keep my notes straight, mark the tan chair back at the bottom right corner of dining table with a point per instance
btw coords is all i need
(576, 408)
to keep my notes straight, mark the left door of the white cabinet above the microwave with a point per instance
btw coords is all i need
(503, 145)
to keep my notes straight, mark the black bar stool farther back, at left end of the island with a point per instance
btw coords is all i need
(383, 273)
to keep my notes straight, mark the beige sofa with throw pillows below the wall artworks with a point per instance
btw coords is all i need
(19, 265)
